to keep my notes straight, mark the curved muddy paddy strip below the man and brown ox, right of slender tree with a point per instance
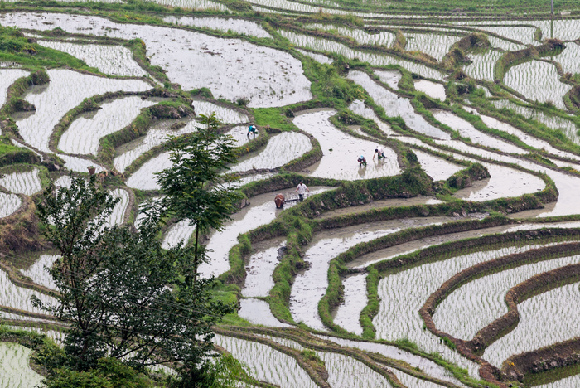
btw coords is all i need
(261, 211)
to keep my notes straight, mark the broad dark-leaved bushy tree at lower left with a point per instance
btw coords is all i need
(122, 294)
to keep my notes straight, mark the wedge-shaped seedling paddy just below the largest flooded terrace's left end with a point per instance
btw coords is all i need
(112, 60)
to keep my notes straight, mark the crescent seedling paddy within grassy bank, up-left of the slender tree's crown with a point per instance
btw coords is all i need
(83, 135)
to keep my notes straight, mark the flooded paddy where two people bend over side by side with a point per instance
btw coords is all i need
(341, 151)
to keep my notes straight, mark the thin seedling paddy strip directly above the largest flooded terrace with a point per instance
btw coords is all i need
(240, 26)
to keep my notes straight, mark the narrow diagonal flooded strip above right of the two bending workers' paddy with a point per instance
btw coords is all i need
(396, 106)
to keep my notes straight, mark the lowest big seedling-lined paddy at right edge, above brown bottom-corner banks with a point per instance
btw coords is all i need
(545, 319)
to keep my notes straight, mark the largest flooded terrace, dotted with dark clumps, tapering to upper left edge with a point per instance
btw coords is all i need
(230, 68)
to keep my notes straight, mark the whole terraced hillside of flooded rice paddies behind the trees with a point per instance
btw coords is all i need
(339, 281)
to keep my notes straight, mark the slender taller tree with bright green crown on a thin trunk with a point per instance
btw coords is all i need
(194, 191)
